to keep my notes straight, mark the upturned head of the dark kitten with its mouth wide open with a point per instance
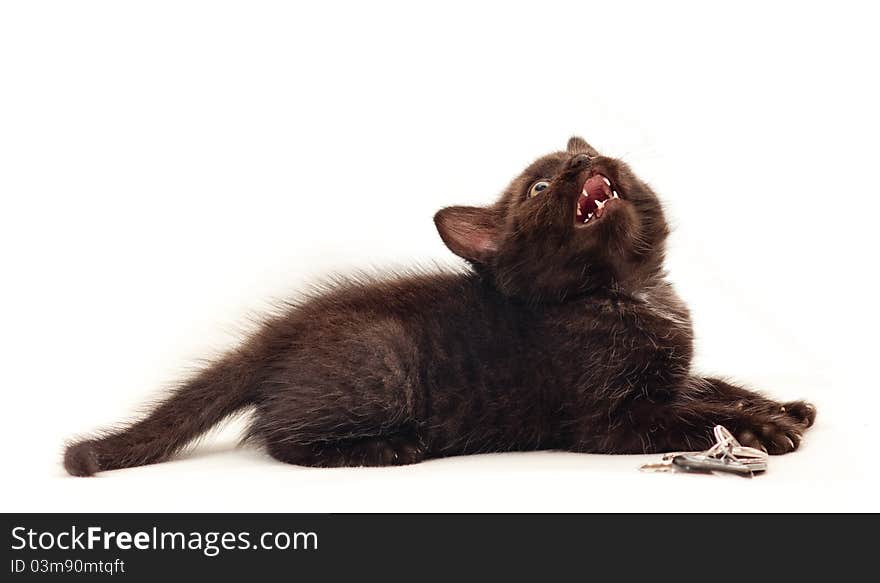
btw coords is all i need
(572, 222)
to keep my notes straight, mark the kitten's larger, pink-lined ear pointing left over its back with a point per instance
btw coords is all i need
(470, 232)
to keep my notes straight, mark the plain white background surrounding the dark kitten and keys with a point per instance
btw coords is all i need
(167, 168)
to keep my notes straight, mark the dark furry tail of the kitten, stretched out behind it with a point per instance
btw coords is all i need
(190, 410)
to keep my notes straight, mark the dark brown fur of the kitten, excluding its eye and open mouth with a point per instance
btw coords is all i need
(561, 337)
